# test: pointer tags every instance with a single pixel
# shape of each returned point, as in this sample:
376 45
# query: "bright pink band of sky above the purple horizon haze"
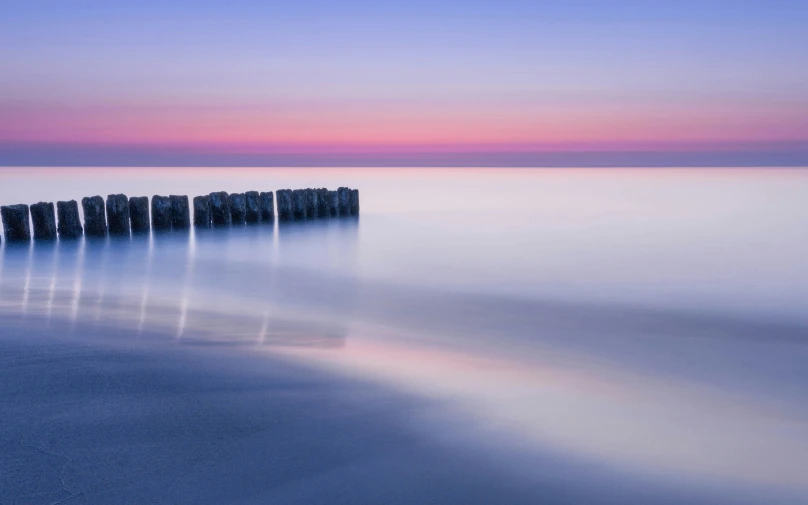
369 127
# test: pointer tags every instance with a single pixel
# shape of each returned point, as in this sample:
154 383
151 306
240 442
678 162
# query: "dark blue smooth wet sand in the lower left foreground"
109 418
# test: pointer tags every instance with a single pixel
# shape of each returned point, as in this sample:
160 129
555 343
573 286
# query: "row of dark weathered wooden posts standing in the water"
119 215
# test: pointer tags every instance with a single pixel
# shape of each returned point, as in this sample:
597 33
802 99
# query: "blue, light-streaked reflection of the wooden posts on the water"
201 285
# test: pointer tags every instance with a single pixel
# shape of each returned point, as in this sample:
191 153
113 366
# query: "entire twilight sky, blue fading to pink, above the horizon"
422 82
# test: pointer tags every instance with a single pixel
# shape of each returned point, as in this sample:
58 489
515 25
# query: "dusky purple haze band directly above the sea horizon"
759 154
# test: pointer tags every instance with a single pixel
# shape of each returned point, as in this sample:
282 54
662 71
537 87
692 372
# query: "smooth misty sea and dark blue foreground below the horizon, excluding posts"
475 336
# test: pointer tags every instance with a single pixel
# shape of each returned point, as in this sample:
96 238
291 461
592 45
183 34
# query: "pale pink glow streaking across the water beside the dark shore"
651 424
